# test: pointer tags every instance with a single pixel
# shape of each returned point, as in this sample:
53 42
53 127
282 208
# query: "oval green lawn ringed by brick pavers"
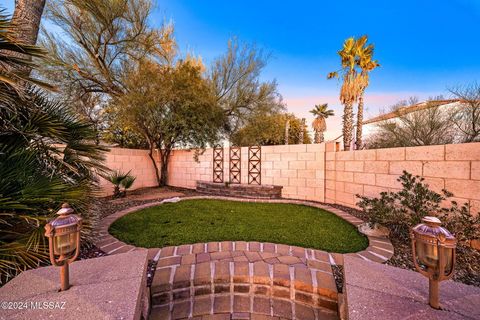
205 220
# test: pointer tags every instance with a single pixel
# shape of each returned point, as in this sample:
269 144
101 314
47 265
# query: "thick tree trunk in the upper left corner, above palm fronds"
26 19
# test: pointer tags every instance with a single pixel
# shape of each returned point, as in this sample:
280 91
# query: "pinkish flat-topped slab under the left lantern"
110 287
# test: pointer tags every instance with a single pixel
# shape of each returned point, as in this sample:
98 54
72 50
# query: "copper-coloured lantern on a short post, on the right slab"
433 250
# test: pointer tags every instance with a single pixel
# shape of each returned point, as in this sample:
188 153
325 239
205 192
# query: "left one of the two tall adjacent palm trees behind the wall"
350 90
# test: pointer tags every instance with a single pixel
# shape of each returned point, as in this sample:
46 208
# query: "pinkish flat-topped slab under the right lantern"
376 291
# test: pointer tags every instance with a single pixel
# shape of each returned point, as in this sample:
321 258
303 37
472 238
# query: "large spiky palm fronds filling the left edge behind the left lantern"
47 157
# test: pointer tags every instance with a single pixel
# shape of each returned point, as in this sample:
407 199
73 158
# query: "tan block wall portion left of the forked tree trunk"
136 161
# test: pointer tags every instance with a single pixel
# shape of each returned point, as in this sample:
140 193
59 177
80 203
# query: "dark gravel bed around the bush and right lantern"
467 268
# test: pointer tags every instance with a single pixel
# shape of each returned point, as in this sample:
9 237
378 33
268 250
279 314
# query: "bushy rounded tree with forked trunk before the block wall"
171 106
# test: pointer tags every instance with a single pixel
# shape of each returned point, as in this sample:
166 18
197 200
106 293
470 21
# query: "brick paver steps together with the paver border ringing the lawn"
243 280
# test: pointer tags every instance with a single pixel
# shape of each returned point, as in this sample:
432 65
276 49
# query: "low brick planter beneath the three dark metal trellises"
240 190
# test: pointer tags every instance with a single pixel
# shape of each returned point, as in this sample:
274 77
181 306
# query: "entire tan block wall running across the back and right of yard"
317 172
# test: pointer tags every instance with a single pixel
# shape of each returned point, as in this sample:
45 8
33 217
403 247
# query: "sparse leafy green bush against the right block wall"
400 211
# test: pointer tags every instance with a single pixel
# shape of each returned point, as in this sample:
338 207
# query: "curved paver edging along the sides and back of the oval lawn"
379 250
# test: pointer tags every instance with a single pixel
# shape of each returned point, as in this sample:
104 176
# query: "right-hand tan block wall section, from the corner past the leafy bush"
369 172
